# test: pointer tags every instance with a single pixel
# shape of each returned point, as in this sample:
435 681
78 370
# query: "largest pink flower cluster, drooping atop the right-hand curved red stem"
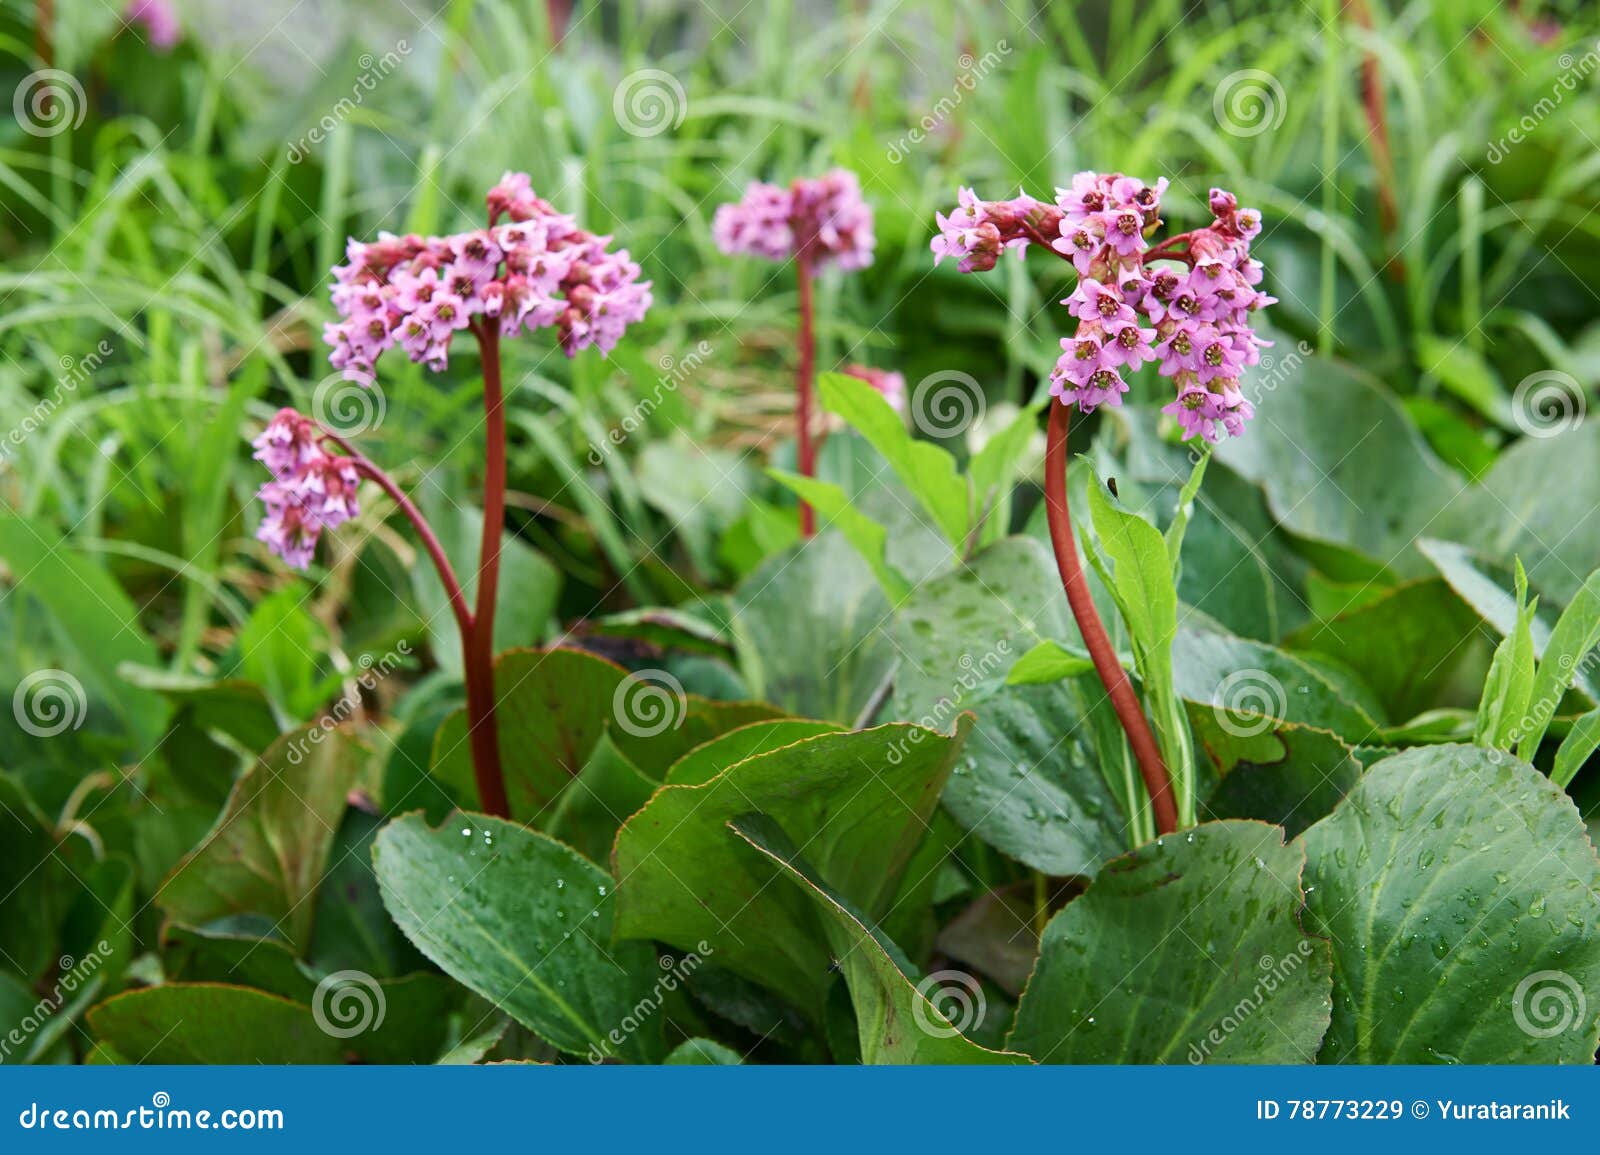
1185 305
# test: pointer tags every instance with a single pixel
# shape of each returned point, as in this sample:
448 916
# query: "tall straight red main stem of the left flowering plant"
479 650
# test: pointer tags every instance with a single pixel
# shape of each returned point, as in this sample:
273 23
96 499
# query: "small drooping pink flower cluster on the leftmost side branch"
311 489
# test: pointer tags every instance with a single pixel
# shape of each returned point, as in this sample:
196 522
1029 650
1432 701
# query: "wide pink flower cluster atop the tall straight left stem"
535 271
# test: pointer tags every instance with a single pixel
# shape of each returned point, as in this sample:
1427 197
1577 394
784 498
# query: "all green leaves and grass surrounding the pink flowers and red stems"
871 757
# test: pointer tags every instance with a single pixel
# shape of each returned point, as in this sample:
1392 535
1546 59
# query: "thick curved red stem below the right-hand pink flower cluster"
1124 701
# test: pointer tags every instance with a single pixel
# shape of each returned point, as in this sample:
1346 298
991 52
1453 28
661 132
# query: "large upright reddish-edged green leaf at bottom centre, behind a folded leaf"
860 802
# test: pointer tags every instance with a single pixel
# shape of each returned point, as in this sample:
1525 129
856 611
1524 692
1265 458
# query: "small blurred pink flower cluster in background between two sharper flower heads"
825 218
